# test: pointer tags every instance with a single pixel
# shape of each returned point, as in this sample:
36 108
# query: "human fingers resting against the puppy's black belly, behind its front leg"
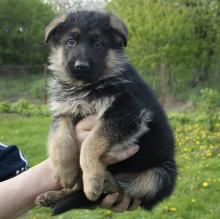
112 157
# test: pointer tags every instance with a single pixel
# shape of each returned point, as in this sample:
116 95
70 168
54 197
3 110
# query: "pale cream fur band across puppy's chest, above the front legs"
81 107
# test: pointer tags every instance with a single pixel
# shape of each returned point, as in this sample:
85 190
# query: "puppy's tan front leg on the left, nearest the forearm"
64 151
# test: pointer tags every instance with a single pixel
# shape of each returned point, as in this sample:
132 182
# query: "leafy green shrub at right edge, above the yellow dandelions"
208 106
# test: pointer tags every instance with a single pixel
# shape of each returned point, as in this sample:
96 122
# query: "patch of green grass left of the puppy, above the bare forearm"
29 133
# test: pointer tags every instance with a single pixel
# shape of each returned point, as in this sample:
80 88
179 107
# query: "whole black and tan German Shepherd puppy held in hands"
93 76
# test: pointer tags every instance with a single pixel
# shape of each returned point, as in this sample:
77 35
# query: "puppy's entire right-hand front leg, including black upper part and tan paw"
118 125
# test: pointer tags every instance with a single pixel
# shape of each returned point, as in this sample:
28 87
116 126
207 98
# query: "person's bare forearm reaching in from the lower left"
18 193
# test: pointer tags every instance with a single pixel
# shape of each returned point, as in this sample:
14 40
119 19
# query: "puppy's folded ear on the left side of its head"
50 28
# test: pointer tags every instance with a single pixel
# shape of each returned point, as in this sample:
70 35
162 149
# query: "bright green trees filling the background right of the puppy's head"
174 44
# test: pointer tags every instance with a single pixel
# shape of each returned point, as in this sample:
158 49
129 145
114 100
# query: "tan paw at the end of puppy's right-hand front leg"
93 186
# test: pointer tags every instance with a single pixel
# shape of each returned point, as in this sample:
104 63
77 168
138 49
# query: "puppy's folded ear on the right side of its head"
119 27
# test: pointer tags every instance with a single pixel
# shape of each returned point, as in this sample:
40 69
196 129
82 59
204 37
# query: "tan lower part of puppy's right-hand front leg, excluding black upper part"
94 146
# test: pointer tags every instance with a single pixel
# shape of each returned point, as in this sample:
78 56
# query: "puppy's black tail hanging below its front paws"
75 200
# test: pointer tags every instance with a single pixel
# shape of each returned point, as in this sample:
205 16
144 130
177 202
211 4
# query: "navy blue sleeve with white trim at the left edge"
12 162
